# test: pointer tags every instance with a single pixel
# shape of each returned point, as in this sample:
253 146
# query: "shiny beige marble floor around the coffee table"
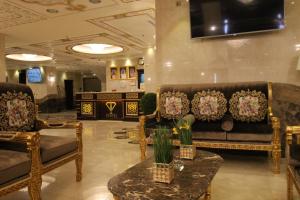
241 177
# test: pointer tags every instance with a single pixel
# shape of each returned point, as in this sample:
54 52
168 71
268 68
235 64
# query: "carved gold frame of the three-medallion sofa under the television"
274 147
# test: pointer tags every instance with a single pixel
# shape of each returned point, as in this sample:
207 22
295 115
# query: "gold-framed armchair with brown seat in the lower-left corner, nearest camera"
20 169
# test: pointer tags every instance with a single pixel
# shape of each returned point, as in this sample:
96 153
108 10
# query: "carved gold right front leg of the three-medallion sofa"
276 152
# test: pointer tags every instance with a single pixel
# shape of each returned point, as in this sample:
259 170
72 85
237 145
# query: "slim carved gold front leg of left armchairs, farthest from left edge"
79 158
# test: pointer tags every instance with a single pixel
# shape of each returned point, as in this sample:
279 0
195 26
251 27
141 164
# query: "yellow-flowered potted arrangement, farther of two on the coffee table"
183 129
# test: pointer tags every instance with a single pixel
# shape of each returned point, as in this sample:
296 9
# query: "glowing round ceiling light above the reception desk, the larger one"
97 48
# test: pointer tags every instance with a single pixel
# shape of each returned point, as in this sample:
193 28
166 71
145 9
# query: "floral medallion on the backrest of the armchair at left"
17 112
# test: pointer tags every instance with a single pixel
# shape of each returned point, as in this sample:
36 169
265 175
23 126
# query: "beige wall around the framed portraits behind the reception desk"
121 85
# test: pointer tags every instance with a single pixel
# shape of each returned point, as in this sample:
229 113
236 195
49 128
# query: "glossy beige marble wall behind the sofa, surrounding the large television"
267 56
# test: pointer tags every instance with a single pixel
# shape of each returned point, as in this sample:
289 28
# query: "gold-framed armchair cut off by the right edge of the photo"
293 159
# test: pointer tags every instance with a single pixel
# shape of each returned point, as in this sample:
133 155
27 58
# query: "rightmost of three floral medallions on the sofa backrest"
248 106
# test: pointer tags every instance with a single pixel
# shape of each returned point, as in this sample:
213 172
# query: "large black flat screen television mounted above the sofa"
211 18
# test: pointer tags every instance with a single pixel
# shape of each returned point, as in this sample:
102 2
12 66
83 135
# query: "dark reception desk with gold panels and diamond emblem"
108 105
